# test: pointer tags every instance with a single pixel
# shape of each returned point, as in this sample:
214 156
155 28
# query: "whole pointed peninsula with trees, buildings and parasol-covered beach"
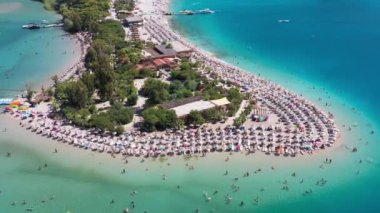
143 90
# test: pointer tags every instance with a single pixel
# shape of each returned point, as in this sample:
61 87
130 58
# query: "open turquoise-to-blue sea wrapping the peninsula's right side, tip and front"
327 52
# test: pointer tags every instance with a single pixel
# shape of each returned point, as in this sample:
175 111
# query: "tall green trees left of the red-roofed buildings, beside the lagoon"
108 74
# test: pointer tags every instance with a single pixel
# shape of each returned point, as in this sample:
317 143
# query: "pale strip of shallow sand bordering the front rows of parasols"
70 156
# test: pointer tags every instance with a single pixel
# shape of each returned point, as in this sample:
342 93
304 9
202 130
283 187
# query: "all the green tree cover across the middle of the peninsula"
110 69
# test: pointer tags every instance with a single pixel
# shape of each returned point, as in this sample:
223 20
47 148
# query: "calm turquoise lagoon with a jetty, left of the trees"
30 56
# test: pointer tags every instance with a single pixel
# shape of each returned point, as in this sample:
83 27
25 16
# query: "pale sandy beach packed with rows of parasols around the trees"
296 126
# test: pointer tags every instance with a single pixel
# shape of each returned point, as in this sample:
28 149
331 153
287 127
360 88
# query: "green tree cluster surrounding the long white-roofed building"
186 82
